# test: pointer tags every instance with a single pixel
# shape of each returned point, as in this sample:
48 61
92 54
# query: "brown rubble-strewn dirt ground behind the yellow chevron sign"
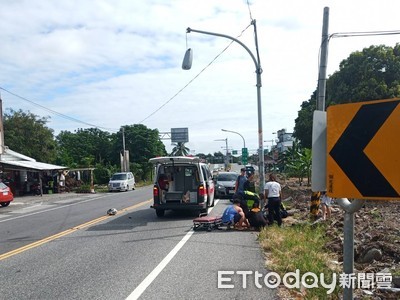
376 233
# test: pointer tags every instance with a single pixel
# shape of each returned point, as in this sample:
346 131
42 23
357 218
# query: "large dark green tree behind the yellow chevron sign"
370 74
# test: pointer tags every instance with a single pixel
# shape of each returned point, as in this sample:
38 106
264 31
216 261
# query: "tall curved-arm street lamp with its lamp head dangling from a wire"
187 63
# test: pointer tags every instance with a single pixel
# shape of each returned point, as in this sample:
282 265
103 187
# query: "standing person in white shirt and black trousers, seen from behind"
273 192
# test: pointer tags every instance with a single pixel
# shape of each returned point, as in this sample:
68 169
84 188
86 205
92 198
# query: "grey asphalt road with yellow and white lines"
66 247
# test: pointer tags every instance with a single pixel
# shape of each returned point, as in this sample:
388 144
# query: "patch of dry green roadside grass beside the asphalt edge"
300 247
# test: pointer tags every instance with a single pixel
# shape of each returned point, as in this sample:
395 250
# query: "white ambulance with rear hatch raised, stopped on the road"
182 183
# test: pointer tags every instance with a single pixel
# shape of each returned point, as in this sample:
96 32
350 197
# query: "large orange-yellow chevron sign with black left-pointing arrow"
363 149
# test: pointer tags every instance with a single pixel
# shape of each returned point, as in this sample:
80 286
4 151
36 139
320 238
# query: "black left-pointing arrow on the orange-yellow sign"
349 154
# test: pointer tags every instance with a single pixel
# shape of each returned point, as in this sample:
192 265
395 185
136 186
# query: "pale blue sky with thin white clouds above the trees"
113 63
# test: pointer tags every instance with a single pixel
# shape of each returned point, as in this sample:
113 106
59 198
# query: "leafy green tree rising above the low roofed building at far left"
27 133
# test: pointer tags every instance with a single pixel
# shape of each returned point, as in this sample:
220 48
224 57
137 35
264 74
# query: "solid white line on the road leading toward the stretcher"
158 269
